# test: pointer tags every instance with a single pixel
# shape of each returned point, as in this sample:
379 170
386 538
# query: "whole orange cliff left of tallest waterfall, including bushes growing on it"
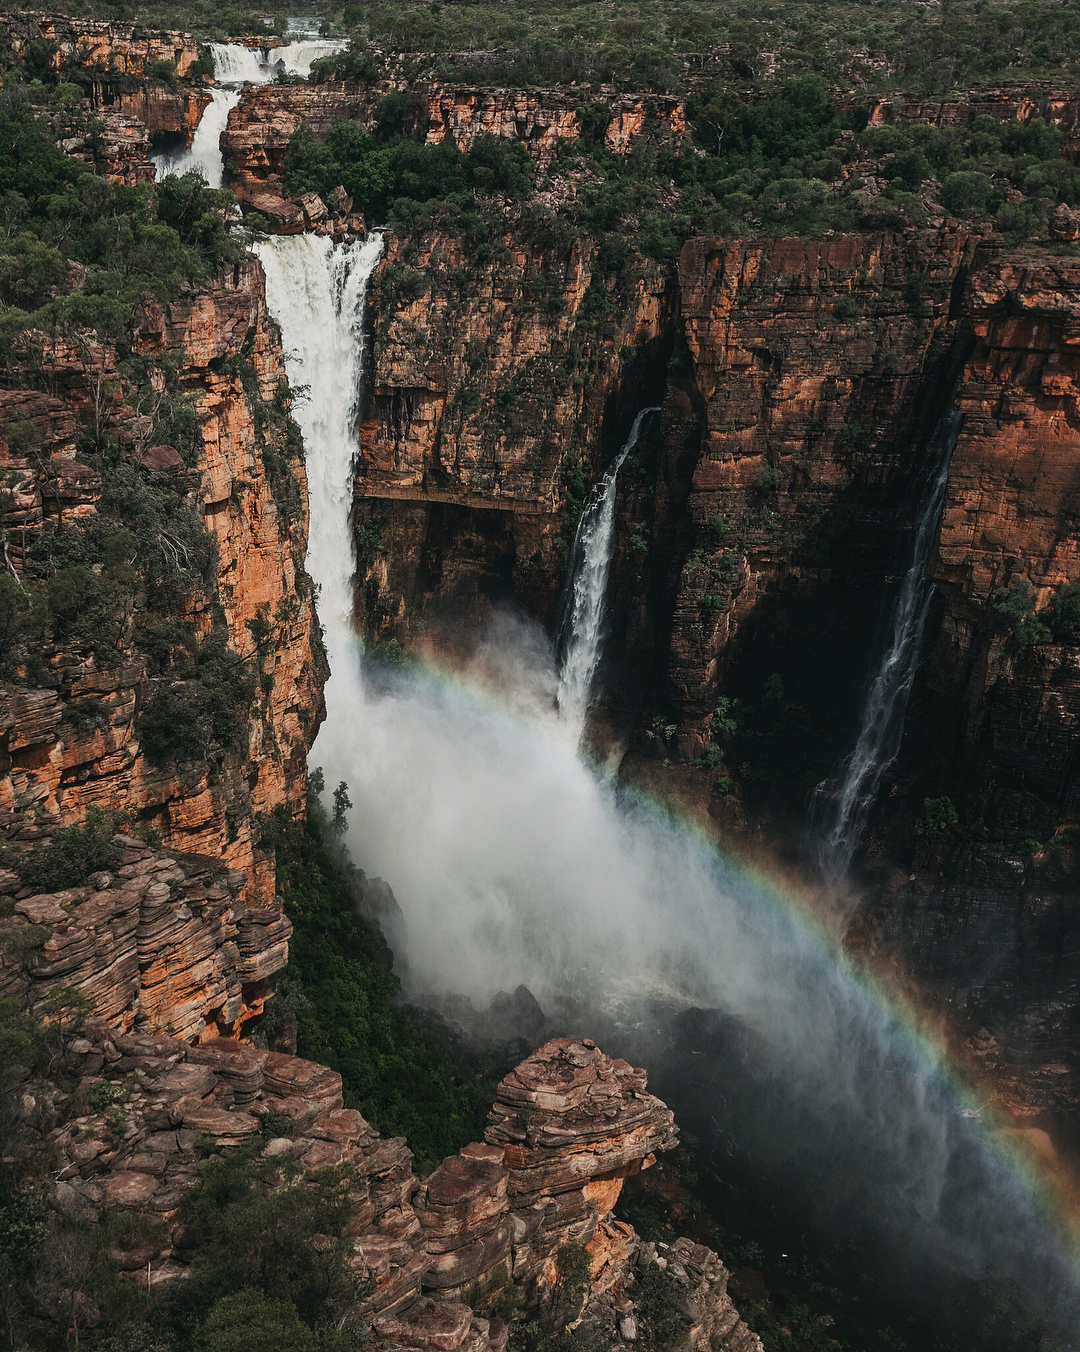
99 719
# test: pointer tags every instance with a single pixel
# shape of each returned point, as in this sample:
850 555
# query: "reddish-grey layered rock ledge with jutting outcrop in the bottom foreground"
568 1126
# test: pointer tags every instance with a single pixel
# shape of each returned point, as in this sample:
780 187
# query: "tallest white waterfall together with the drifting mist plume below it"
514 863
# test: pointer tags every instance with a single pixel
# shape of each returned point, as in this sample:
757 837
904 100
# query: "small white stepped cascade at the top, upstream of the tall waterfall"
236 66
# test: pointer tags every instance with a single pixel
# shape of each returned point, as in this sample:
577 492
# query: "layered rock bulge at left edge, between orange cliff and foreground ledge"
160 943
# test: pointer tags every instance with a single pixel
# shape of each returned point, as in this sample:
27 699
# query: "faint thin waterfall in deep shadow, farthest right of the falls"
882 725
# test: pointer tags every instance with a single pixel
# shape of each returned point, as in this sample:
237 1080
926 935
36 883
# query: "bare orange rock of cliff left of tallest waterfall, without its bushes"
52 756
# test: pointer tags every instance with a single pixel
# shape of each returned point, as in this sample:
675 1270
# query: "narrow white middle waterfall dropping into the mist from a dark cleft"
582 628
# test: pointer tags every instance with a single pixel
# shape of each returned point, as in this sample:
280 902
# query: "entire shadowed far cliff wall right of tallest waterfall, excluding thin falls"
763 528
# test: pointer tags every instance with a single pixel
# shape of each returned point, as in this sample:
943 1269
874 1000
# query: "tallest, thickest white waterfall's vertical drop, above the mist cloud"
317 291
